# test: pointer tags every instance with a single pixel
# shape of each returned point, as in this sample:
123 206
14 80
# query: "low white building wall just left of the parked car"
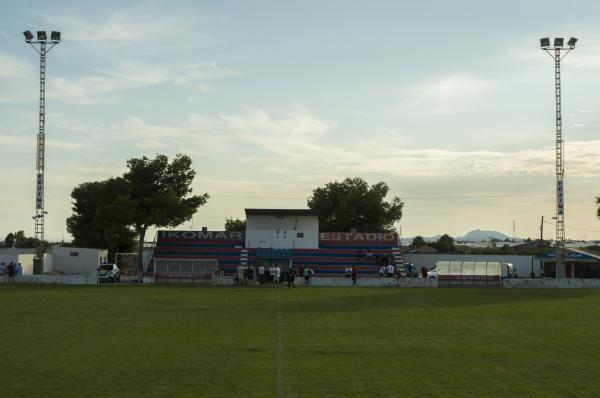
75 260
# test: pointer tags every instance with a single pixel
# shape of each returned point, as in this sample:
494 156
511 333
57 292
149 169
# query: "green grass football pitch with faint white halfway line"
132 341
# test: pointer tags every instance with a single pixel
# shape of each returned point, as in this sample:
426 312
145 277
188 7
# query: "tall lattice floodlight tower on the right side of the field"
558 52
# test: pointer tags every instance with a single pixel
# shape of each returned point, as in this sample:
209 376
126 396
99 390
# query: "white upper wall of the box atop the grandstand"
282 232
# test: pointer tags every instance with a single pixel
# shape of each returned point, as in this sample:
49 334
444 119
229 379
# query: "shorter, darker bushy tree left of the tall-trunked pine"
102 215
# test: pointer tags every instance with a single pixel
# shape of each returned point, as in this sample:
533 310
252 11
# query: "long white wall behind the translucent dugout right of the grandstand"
521 263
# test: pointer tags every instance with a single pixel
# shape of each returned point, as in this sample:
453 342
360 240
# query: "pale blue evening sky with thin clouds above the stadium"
450 103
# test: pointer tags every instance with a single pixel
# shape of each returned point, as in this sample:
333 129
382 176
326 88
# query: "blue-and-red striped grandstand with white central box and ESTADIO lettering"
282 237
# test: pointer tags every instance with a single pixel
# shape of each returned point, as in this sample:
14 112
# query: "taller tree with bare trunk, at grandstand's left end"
159 194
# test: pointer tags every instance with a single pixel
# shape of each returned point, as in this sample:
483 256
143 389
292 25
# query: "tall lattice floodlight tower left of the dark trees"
40 46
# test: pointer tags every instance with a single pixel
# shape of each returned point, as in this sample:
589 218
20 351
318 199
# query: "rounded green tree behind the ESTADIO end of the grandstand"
352 204
